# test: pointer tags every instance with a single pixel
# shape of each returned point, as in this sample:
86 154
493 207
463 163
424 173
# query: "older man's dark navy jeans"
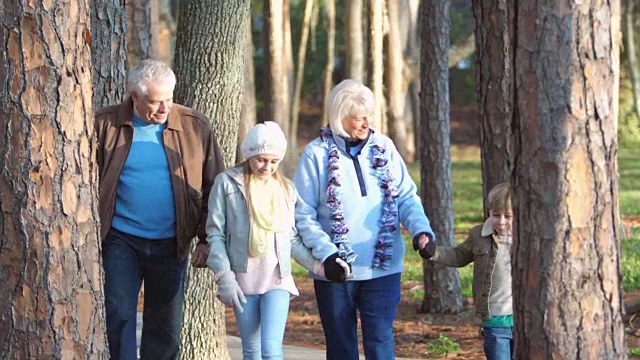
127 261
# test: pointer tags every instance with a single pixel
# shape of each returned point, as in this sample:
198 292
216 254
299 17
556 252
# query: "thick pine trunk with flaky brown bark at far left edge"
51 299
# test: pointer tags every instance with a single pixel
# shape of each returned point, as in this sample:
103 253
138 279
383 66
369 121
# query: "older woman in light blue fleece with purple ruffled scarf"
354 193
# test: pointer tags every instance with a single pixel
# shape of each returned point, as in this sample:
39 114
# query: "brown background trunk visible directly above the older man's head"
142 30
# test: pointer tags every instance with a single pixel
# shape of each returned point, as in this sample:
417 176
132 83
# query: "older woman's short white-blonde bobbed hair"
349 97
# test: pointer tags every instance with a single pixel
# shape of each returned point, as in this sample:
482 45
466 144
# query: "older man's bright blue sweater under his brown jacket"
144 194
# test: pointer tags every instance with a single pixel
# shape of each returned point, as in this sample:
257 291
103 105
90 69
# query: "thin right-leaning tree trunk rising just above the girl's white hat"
302 53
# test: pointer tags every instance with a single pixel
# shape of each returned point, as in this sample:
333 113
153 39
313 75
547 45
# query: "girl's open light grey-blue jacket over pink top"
228 228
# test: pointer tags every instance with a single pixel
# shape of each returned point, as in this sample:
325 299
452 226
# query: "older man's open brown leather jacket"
193 155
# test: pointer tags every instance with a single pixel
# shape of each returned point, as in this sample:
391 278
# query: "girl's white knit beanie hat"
265 138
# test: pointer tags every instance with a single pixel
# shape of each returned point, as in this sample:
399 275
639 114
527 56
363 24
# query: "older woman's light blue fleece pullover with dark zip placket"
361 202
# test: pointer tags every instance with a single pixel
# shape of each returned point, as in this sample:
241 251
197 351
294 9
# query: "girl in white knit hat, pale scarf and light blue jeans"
252 237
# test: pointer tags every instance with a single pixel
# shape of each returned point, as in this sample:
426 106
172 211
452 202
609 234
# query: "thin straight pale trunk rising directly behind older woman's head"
377 65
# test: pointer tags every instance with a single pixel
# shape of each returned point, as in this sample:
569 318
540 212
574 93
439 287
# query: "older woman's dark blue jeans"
376 300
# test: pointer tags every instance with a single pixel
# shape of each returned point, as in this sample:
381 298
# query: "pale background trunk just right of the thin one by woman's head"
396 83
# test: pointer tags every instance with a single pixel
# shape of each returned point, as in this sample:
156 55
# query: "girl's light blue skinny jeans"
262 323
